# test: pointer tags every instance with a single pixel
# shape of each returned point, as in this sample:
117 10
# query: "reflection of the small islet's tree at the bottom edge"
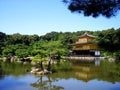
46 84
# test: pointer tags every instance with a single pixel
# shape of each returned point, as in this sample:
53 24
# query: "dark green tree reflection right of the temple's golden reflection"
110 71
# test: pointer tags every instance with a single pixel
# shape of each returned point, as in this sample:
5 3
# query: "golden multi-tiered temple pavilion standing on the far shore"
85 46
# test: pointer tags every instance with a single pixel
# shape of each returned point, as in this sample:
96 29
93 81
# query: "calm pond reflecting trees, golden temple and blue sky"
83 76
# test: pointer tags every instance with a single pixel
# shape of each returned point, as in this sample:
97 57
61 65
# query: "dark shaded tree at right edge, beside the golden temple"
109 41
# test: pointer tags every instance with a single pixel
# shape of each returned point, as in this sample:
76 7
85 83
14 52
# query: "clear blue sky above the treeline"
44 16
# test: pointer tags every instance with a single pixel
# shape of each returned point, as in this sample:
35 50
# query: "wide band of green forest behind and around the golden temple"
55 43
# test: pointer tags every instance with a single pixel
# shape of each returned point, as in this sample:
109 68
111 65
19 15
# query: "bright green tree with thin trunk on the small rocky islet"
51 49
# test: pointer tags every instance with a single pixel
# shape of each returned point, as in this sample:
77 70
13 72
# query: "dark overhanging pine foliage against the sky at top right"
94 8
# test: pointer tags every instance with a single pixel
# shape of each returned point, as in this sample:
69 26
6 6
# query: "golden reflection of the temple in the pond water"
86 73
